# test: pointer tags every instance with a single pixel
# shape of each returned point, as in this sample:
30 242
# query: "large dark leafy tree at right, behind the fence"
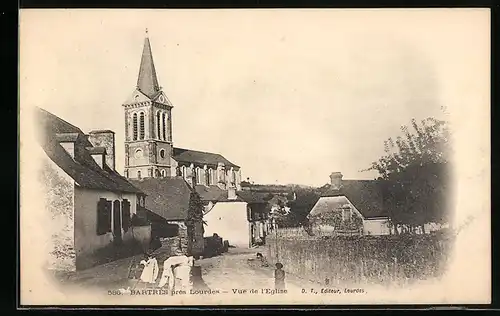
414 173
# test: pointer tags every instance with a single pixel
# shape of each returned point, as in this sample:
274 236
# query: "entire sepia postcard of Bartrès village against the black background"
254 157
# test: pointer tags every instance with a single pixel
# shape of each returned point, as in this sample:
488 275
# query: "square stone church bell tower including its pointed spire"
148 124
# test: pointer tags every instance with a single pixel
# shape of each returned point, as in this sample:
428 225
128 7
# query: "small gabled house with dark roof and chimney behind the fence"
353 207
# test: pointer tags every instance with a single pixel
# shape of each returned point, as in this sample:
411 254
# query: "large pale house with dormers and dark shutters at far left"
92 209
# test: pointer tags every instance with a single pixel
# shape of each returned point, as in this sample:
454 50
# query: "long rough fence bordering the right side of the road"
359 259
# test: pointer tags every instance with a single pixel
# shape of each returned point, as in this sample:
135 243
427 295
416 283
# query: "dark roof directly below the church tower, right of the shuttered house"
167 197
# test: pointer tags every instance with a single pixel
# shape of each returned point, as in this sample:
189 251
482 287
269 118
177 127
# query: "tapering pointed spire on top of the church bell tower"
147 81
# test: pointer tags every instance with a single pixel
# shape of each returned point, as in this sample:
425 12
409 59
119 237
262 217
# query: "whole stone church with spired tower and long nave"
149 149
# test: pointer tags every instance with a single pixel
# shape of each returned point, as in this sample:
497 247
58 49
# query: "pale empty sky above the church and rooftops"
289 95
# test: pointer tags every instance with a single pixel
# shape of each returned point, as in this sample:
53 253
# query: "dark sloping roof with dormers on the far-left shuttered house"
82 169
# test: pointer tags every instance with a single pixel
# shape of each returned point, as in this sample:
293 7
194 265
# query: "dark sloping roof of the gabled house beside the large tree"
366 195
